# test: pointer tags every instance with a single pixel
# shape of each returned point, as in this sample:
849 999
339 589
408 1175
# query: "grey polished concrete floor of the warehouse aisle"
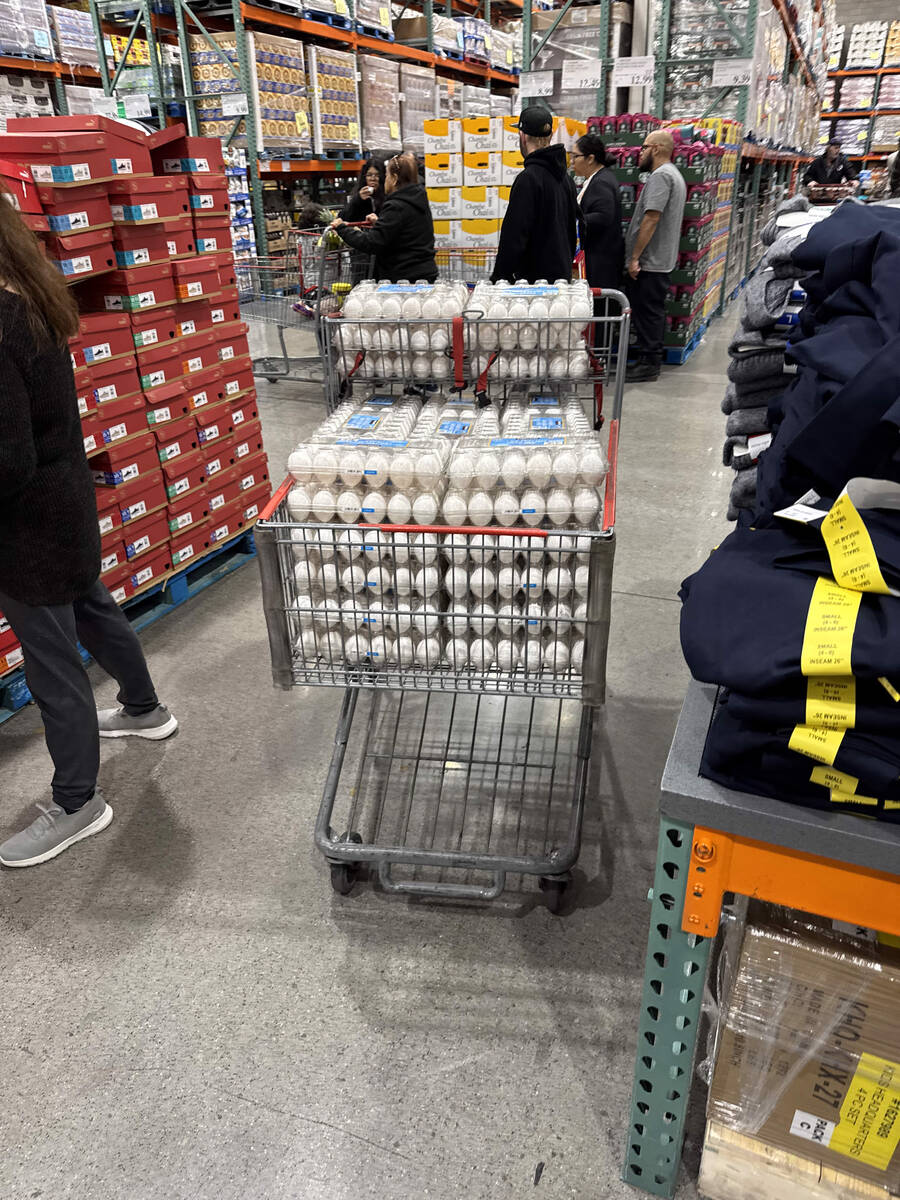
190 1013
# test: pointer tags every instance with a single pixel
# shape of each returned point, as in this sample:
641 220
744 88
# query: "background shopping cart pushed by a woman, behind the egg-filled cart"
295 292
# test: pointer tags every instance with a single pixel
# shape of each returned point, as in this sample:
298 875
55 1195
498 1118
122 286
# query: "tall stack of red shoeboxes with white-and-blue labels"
140 226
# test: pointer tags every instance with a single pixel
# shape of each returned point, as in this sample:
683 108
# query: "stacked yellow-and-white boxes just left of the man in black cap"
470 167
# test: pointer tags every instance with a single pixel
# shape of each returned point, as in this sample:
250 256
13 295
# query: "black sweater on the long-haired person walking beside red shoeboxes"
50 539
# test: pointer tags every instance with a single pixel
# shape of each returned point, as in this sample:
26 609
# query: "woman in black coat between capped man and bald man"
601 214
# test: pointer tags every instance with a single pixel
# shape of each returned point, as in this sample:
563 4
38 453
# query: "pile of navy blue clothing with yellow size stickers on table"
797 616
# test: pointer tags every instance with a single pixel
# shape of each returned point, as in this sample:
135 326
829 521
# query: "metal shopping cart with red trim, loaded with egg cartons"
463 773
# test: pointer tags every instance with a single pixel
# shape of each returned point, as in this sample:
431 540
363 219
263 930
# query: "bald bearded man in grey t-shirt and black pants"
652 253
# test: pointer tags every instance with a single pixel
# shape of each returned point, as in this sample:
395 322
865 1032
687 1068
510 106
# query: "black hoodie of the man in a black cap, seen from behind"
538 237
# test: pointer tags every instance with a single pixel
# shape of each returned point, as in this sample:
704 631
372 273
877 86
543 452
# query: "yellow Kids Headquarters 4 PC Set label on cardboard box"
869 1127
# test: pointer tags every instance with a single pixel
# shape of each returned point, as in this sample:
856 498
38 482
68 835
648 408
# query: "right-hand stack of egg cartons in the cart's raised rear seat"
530 332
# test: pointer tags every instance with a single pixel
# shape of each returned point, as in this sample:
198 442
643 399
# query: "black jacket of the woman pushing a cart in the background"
403 239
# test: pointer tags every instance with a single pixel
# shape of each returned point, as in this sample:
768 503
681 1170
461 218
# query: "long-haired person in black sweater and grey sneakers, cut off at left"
50 554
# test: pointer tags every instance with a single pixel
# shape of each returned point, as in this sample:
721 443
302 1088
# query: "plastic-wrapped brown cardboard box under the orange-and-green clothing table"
809 1047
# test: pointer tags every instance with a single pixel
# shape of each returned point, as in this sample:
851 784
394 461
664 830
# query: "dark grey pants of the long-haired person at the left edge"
59 682
